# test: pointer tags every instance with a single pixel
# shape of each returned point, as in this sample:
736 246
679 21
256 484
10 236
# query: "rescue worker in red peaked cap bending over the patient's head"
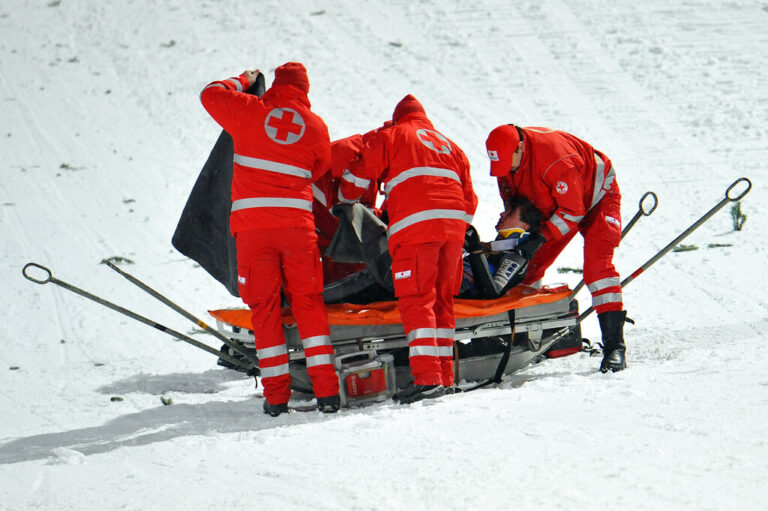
575 188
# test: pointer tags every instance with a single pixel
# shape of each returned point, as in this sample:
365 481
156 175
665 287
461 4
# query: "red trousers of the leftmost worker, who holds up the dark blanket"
266 260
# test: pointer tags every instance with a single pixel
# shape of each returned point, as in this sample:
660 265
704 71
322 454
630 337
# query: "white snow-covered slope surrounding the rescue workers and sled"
102 136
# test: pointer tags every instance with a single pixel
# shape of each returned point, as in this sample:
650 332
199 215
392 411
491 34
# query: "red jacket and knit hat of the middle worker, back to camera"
425 177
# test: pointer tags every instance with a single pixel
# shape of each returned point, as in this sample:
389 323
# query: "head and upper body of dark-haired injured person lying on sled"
492 269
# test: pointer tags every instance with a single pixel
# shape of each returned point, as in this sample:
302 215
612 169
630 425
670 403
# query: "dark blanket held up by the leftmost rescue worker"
202 233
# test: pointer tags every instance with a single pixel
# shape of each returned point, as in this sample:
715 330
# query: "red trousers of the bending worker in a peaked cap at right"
601 229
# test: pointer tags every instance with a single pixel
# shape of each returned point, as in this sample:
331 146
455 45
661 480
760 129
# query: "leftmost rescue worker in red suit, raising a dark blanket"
281 147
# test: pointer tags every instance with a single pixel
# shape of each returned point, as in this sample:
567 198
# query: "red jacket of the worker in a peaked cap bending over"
562 175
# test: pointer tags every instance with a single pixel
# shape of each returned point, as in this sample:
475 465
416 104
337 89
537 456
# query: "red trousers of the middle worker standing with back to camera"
426 278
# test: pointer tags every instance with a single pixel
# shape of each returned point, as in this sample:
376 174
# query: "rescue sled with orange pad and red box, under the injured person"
372 351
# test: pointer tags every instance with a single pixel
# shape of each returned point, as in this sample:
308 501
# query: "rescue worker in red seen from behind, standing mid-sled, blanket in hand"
430 203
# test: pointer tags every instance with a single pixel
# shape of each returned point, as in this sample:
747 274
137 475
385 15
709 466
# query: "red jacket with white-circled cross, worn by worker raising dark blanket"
280 148
